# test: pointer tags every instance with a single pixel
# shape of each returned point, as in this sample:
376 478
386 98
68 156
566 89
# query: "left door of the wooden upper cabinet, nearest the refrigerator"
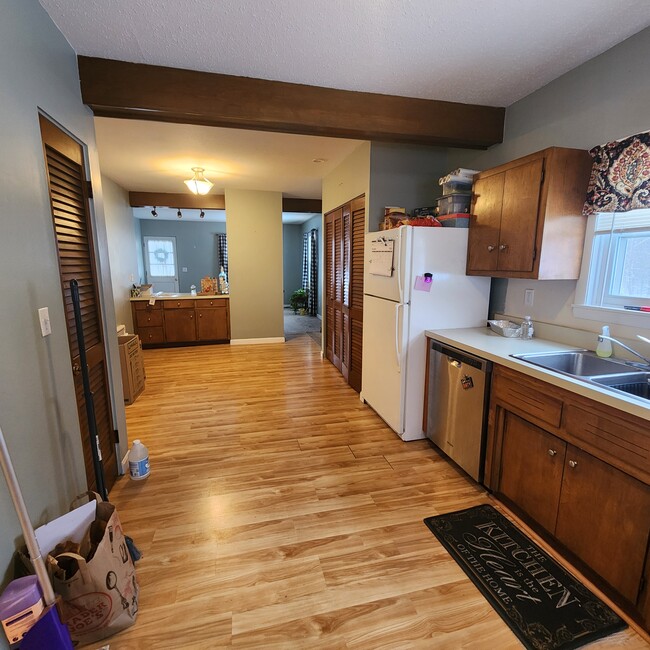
482 251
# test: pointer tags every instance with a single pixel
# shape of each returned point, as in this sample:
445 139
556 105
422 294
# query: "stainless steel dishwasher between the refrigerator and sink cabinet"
457 405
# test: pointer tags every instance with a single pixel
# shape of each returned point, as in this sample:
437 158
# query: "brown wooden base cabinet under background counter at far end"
182 322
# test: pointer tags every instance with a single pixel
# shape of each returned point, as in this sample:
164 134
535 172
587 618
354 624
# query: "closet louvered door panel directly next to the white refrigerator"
355 303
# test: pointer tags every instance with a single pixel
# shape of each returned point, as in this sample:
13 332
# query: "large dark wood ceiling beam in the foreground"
147 92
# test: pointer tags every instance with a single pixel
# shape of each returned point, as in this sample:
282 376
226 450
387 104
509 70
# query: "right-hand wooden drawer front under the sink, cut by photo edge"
616 441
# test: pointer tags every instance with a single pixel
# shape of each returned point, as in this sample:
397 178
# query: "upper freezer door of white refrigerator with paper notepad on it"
386 268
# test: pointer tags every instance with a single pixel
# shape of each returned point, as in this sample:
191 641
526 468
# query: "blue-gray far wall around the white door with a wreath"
196 247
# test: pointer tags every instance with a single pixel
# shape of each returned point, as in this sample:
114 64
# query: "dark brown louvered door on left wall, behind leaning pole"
68 189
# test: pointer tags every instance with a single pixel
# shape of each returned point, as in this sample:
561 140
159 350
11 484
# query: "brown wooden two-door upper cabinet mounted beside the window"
527 217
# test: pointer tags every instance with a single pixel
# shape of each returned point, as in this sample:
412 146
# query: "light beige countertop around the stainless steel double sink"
484 343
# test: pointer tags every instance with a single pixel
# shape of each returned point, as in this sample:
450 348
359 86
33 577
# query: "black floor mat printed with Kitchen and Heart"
544 605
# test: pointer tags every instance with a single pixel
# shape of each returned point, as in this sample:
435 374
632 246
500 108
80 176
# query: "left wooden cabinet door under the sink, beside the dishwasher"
531 469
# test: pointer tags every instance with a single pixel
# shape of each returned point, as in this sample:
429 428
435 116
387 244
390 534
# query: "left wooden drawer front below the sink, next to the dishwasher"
526 397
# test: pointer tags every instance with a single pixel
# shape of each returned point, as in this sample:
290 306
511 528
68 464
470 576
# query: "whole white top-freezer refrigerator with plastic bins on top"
414 280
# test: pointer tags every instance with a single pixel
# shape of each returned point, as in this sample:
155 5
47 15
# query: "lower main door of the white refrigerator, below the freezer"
383 379
